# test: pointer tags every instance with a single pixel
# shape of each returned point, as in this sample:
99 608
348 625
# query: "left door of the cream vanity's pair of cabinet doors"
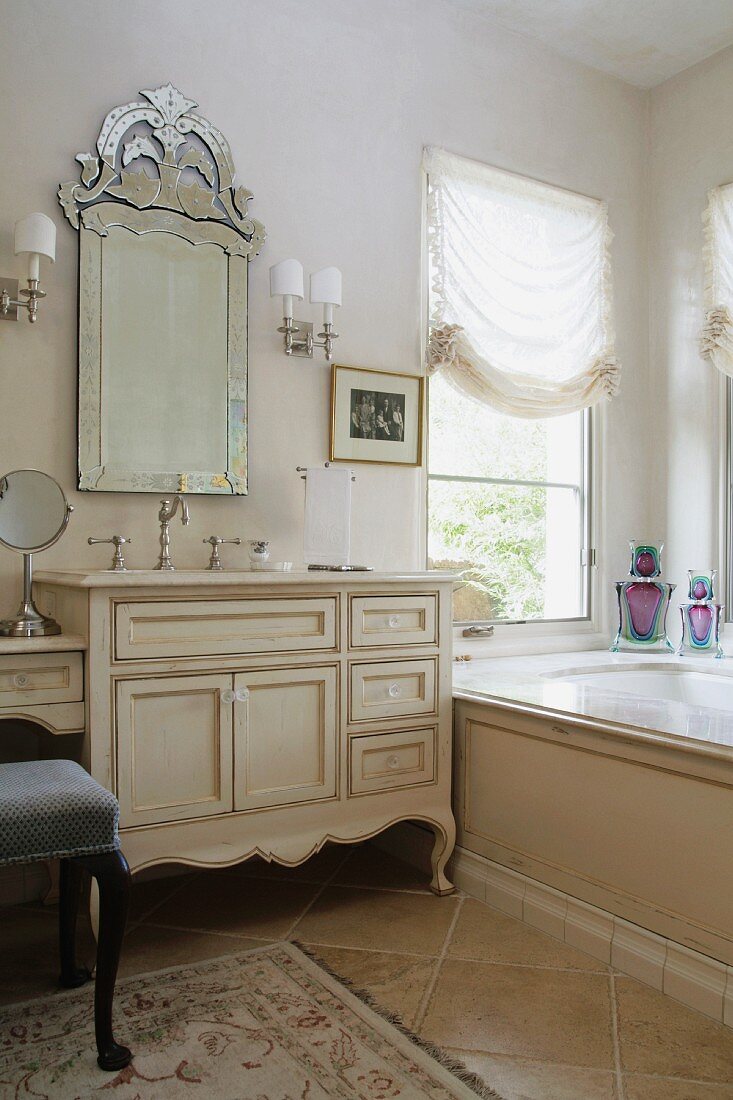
174 743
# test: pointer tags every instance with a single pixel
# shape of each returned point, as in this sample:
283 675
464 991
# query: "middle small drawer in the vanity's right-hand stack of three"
392 689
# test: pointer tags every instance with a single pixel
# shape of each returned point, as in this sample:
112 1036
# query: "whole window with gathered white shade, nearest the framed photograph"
521 349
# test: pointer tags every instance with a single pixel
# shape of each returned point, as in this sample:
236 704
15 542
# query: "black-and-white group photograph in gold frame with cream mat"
377 416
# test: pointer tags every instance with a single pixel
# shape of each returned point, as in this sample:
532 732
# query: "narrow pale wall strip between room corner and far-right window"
691 151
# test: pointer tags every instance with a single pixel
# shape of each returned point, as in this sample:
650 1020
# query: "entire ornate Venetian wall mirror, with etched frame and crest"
166 239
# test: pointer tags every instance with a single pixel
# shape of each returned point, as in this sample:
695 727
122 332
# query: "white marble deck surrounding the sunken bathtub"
540 684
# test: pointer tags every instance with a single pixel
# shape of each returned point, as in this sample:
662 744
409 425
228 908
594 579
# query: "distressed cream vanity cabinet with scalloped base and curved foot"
249 713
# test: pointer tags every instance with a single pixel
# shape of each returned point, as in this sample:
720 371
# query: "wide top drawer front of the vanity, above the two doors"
216 628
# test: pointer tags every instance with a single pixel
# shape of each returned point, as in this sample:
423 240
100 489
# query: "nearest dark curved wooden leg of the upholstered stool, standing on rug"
113 876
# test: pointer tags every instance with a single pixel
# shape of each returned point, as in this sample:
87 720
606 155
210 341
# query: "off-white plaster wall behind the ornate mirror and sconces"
327 106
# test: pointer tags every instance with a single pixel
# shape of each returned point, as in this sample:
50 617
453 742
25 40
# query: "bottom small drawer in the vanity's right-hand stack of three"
382 762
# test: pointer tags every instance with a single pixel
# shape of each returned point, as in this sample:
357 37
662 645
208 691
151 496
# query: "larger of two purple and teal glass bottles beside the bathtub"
643 602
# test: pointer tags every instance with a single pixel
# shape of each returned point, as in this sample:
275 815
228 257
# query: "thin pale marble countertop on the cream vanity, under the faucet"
180 578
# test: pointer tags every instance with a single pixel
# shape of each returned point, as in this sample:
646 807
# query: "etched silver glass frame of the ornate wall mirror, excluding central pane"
161 169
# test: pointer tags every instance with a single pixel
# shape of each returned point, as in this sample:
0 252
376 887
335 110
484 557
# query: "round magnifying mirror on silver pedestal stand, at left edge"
34 516
